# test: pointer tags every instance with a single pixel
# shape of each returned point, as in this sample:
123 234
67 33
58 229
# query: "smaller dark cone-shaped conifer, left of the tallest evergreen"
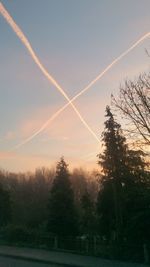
62 220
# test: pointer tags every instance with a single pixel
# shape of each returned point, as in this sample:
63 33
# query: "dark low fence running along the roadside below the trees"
93 246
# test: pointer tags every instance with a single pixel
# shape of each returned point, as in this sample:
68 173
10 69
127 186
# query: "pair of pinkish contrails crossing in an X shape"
27 44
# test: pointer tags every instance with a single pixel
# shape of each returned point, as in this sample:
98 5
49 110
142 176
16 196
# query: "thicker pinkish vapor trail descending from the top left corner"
25 41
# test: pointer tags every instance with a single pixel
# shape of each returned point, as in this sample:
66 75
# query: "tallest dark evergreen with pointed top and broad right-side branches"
123 175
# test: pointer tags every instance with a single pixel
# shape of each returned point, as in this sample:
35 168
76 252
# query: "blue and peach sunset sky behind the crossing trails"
75 40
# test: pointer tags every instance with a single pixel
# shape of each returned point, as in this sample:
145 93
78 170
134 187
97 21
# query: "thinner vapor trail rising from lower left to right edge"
145 36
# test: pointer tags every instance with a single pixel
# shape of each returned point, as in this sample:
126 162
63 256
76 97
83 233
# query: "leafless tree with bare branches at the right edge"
134 104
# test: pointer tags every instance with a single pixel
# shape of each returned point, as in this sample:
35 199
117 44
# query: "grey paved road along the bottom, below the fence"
57 258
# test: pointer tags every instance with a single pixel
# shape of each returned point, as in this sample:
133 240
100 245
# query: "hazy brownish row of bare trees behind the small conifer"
25 197
